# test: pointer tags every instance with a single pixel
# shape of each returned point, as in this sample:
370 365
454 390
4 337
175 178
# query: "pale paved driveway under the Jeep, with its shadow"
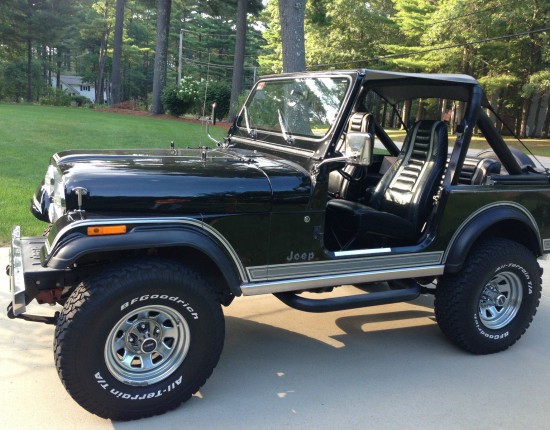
385 367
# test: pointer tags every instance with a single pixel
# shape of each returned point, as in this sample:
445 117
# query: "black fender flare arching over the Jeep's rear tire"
480 222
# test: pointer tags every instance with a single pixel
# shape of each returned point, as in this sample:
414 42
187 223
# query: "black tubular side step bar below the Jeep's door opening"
350 302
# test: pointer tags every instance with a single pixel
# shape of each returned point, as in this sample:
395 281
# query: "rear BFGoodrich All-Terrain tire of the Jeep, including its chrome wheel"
488 305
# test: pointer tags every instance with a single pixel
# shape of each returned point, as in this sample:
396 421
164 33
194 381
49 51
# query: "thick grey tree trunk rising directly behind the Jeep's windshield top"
291 15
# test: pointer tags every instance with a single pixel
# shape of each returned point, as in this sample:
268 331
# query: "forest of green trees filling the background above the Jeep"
227 45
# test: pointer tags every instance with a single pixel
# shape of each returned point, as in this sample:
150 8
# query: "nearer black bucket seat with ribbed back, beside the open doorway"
403 199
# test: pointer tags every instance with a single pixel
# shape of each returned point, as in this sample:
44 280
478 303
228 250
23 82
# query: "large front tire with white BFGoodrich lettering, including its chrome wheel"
138 339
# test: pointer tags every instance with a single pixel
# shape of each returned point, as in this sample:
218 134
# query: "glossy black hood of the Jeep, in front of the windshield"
186 181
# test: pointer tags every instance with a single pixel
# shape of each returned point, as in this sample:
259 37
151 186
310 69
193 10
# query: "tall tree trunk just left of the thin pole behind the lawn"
161 55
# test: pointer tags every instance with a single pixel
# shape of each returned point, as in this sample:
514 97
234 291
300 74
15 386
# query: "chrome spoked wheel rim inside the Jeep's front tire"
147 345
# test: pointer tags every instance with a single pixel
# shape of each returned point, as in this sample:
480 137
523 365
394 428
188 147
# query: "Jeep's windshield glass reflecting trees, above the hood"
305 107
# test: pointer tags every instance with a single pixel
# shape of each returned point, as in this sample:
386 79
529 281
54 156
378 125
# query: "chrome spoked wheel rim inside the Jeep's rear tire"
500 300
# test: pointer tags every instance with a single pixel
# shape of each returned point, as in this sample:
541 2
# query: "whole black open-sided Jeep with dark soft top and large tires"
307 192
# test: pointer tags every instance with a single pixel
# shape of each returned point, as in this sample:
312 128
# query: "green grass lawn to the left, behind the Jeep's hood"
29 135
